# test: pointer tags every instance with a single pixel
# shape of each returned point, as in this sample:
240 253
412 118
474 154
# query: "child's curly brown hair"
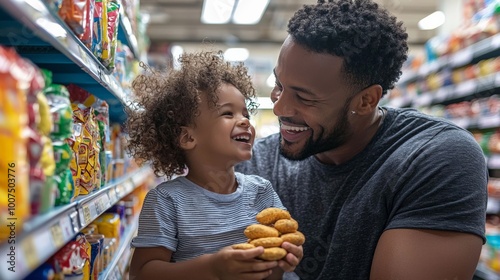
164 102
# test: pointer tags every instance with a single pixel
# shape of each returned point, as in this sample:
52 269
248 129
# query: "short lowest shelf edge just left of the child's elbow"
117 266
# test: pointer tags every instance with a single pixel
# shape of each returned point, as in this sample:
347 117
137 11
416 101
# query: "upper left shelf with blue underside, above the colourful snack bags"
40 35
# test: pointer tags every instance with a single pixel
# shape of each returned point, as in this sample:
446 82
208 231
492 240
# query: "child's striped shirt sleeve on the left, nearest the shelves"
157 222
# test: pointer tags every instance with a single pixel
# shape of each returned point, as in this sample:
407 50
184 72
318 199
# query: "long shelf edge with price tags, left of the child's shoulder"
45 234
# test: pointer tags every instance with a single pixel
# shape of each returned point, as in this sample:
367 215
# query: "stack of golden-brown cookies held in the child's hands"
275 227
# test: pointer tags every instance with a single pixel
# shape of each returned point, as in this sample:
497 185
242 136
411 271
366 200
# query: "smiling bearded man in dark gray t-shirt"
380 193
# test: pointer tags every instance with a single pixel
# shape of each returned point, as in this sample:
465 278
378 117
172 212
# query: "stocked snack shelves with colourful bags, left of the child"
72 196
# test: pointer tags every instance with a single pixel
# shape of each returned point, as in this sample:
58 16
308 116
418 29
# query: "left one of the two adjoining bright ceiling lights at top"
217 11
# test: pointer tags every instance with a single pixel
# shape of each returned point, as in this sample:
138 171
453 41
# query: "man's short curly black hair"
371 41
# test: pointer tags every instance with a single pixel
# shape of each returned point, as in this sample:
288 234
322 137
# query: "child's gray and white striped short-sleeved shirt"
191 221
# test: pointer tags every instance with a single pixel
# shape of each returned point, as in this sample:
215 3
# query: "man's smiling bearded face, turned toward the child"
311 99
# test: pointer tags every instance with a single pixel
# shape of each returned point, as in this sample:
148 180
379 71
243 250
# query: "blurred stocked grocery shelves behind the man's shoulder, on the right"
458 77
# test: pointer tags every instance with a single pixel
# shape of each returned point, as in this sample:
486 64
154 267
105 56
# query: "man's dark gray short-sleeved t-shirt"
417 172
